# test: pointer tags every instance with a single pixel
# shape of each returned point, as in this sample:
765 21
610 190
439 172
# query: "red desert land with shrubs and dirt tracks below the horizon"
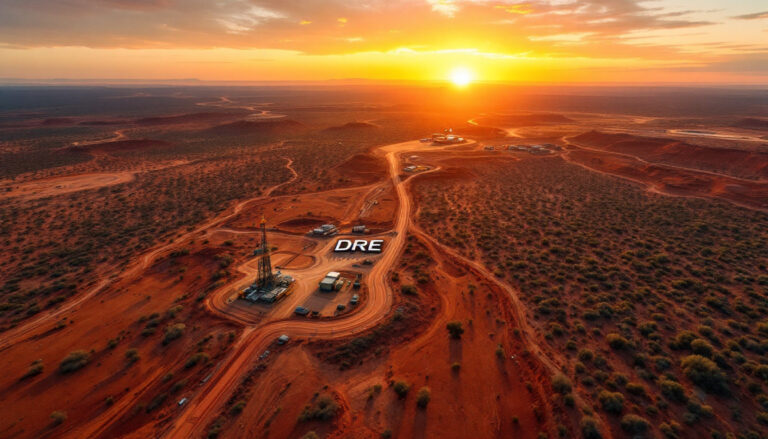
564 274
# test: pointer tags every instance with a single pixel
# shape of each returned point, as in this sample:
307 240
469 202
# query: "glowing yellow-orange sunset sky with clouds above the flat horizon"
595 41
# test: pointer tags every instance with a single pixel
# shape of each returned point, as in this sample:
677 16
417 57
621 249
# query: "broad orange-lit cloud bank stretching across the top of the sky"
584 28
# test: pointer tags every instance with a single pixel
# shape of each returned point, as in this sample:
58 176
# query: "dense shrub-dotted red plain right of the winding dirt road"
666 289
